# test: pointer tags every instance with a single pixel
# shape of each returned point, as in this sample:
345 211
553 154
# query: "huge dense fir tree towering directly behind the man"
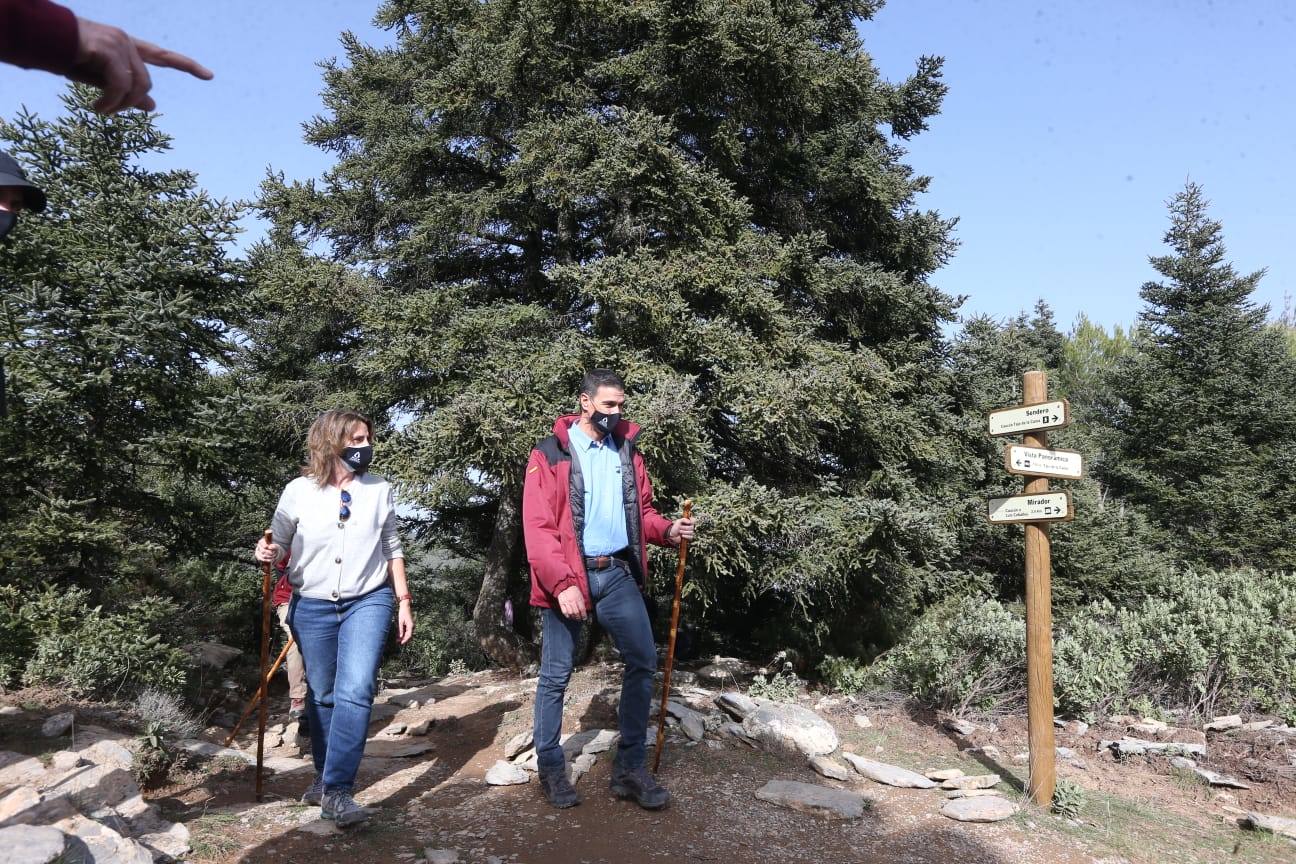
708 196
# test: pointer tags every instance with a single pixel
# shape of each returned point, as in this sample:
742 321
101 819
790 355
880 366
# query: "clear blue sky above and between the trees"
1066 130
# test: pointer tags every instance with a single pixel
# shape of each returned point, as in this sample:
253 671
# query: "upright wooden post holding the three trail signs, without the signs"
1044 769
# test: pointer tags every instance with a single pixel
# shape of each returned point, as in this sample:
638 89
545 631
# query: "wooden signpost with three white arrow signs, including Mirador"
1036 508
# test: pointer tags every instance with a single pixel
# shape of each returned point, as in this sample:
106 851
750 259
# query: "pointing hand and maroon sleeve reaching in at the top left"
40 34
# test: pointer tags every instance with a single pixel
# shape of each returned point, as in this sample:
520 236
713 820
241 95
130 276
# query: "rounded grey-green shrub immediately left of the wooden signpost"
965 655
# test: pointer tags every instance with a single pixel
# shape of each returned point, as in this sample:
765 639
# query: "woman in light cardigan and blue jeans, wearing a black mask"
348 576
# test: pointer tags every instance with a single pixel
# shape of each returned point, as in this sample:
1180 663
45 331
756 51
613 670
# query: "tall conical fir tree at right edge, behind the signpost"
1206 423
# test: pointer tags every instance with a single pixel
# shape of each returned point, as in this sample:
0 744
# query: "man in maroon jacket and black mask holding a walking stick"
588 517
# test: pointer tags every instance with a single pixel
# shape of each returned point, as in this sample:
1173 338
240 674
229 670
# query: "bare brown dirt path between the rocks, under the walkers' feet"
440 801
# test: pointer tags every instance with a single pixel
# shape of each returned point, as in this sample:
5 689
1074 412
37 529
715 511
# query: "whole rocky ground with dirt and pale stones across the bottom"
817 780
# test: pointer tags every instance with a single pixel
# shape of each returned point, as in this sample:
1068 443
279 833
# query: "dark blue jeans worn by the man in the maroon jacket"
621 612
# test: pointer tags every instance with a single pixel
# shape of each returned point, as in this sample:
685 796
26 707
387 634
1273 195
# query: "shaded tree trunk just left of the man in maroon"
498 639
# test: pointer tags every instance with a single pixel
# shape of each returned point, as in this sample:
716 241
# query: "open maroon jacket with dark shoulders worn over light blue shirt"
554 512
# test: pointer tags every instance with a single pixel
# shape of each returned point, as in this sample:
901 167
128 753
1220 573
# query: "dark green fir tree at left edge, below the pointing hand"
121 453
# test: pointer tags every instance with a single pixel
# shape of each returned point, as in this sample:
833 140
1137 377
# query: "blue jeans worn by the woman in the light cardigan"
341 643
